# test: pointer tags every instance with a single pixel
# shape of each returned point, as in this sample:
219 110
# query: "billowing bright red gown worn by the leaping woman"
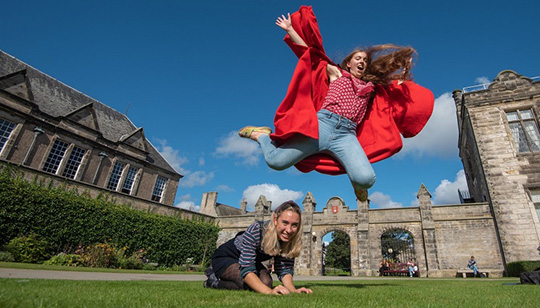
395 110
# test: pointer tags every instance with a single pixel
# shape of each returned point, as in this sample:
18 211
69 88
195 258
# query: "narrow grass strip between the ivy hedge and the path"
86 269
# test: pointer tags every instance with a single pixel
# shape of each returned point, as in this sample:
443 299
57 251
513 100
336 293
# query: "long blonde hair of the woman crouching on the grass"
271 244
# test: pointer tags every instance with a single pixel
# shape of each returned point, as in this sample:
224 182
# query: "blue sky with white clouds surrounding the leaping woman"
192 73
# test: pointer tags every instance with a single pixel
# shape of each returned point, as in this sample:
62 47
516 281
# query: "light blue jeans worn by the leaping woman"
337 137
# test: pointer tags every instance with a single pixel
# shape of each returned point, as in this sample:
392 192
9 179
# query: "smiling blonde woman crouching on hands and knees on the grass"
237 264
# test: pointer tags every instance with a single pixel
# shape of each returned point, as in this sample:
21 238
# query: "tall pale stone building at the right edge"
499 144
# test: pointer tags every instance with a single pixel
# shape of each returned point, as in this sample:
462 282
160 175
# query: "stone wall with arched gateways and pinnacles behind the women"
444 236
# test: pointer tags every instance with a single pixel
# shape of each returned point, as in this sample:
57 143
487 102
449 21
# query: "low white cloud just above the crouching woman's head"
272 192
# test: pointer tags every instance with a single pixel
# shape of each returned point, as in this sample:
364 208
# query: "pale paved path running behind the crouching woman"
44 274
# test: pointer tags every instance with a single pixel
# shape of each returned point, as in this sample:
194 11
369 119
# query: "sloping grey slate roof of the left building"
58 100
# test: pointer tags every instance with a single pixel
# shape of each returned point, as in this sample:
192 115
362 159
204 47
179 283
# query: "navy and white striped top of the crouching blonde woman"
249 245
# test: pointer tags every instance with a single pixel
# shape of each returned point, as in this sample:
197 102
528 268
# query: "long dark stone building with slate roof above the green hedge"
51 130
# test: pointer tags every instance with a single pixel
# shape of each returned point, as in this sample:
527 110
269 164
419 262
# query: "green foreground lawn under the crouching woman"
350 293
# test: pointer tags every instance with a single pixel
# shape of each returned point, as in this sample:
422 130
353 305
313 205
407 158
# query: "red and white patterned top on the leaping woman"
348 97
